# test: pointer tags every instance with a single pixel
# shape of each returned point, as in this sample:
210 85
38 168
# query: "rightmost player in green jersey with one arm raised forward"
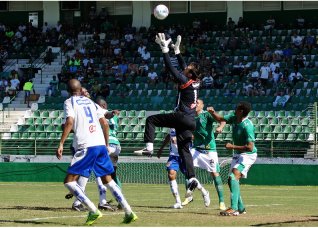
245 152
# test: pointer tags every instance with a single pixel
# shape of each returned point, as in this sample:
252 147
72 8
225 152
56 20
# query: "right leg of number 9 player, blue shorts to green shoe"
103 168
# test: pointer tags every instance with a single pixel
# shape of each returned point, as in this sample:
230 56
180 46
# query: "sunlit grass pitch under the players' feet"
43 204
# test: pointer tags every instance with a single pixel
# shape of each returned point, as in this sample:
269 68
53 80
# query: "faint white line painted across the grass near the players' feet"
122 213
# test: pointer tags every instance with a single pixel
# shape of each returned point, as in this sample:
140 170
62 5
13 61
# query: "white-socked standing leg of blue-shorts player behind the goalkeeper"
172 168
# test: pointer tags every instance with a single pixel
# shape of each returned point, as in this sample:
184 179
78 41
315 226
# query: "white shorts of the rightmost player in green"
246 160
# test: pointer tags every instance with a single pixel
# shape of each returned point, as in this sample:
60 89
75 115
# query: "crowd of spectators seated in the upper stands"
239 58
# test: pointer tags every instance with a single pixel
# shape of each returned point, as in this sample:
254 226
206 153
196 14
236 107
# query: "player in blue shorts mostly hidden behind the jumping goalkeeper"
173 165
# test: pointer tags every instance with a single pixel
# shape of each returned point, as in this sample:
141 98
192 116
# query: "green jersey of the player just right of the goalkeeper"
204 134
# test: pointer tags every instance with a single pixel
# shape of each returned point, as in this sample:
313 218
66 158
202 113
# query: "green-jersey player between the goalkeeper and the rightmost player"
204 149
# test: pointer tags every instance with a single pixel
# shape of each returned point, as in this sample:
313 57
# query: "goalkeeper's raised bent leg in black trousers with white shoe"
160 120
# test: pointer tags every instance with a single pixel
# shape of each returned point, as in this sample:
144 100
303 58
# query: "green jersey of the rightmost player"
242 133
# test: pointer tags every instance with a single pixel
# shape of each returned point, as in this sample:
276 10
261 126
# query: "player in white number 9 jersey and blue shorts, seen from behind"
89 142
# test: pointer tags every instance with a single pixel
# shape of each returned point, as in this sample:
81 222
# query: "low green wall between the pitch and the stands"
155 173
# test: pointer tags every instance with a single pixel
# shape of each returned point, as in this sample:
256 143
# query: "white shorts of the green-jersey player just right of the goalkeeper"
208 161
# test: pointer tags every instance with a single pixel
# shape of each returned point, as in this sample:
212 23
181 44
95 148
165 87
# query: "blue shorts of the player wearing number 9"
91 159
